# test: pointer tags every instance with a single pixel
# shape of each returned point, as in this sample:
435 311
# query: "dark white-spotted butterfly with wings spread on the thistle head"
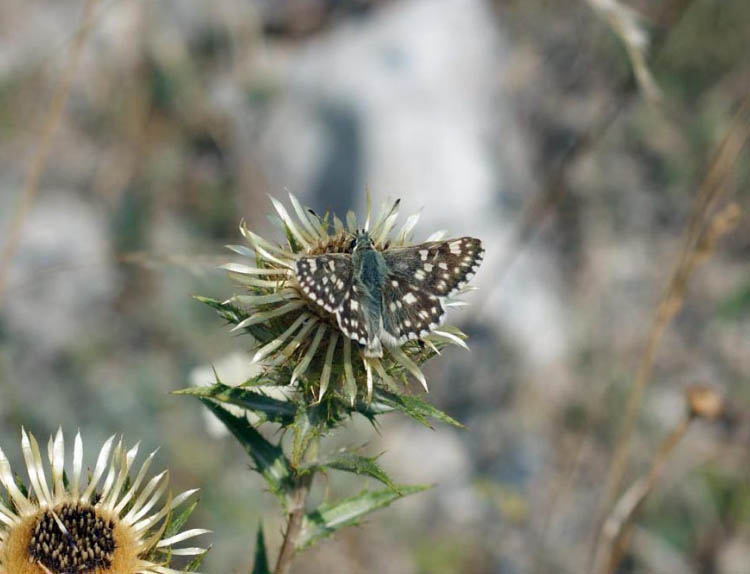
391 296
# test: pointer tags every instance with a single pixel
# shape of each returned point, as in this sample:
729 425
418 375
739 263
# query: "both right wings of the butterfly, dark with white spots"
418 278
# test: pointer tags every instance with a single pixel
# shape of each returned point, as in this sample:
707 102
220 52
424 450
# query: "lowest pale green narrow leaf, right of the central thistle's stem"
328 518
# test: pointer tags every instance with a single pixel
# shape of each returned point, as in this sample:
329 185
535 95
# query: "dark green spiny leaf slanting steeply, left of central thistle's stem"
269 459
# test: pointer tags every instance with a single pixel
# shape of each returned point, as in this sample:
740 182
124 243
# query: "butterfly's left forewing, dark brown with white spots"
325 279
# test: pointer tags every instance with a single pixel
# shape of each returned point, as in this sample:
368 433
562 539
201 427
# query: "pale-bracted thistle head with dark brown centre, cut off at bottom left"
120 526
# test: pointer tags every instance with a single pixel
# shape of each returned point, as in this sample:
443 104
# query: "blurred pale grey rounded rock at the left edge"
62 278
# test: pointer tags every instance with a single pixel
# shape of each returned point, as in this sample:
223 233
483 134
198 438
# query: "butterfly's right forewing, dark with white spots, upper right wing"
440 267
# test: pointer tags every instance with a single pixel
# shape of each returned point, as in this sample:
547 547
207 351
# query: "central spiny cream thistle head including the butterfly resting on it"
344 303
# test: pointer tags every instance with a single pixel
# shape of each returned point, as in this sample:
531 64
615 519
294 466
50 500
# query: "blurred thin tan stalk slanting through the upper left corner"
39 161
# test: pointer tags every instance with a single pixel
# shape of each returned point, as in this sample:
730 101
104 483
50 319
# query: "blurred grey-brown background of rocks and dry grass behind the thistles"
135 135
